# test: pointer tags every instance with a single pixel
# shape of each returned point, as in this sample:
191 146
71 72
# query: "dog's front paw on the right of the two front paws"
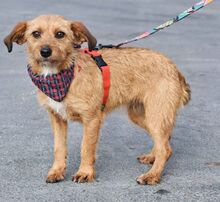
84 175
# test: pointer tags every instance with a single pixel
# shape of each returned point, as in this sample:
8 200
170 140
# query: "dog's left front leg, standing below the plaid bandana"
59 126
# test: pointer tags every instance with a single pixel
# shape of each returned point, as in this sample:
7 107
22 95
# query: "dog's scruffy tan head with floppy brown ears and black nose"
50 39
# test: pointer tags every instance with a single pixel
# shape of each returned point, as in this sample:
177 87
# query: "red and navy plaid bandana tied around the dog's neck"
55 86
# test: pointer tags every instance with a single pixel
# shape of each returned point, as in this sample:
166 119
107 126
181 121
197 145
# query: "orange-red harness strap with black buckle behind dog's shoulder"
105 69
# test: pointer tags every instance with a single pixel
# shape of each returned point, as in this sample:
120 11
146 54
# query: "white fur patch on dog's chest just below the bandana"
58 107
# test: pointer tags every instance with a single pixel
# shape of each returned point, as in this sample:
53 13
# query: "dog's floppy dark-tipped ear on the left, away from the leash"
16 35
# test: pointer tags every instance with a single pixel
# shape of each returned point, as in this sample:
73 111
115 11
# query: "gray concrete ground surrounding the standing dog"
193 172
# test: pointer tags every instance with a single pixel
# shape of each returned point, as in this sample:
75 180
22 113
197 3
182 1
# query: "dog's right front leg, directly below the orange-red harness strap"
86 172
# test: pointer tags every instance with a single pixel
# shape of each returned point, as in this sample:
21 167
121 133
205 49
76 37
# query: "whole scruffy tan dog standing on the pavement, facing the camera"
146 82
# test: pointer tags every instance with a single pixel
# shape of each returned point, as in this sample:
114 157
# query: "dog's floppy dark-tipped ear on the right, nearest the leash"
82 34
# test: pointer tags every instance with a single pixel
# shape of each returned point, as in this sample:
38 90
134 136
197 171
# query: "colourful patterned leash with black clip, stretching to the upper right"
181 16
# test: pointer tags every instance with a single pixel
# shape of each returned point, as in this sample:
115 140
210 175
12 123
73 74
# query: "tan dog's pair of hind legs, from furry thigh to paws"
160 106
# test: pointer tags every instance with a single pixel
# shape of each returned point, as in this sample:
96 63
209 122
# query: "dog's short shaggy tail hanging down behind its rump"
186 92
